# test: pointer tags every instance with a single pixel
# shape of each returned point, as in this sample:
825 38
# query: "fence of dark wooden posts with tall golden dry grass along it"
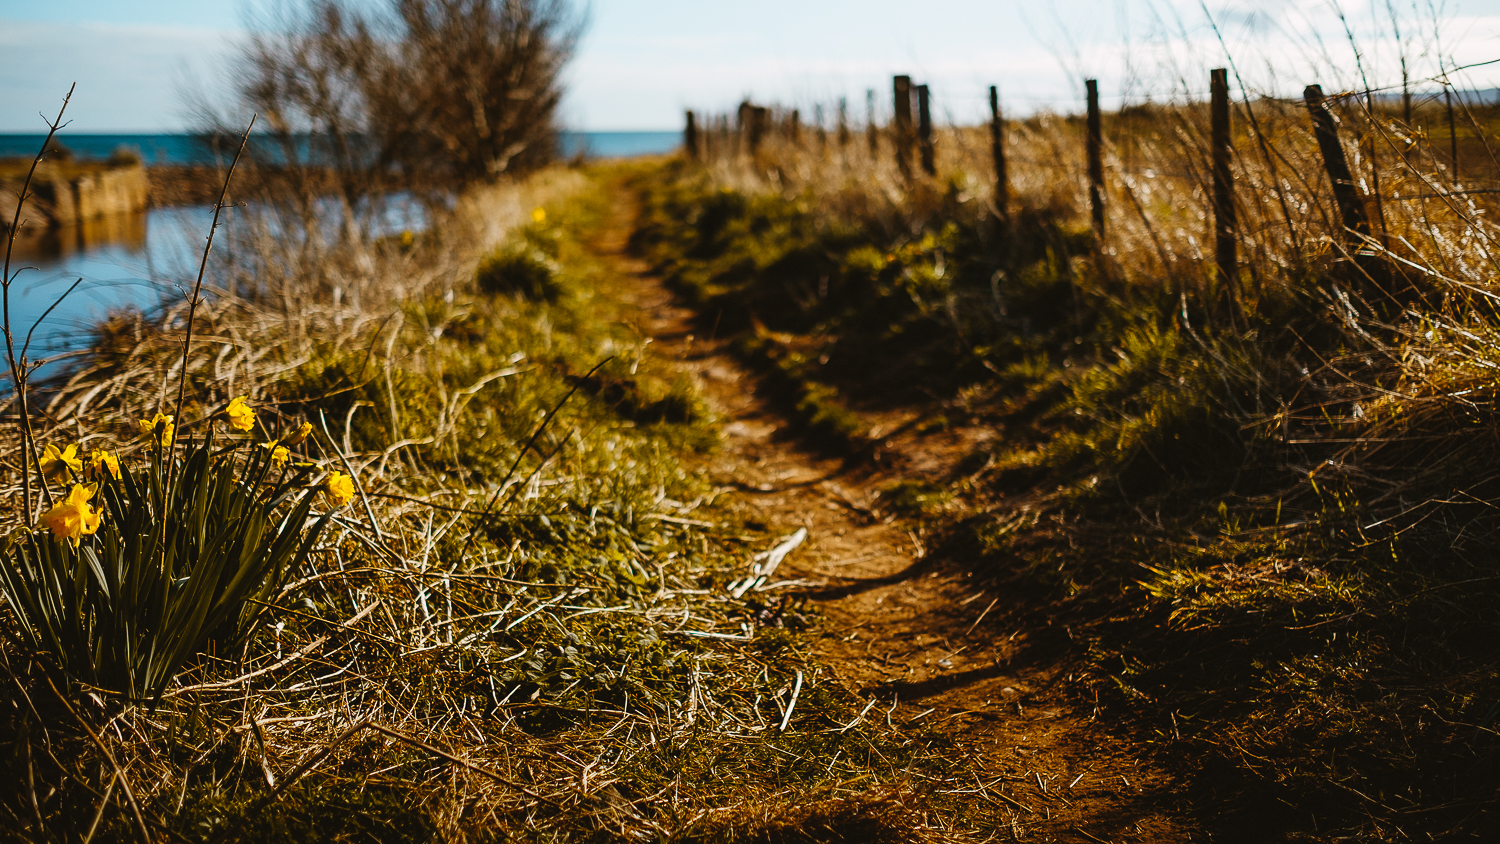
1280 187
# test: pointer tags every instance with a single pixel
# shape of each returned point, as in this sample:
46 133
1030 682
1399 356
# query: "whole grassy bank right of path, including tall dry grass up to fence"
1262 509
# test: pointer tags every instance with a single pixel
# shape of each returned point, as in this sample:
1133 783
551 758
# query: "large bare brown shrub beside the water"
427 97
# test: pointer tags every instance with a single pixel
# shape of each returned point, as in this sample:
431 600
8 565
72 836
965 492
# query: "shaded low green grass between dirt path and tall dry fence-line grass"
1265 530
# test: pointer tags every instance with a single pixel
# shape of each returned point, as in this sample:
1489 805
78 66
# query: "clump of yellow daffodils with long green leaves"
176 545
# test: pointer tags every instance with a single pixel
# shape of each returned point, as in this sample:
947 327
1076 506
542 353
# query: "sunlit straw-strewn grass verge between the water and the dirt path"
518 630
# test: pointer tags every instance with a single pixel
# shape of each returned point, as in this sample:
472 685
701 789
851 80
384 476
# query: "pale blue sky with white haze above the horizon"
643 62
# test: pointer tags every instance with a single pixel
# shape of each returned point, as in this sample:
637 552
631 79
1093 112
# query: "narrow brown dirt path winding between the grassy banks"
904 632
